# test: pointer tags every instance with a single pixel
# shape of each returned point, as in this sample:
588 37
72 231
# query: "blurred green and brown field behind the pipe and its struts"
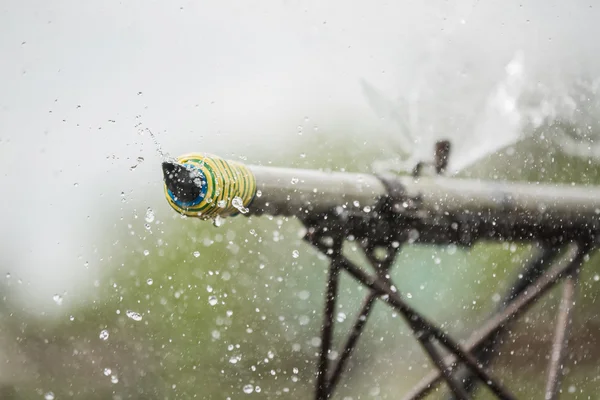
230 312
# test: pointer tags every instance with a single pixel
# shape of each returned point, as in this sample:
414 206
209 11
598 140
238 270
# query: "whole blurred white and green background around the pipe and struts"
108 294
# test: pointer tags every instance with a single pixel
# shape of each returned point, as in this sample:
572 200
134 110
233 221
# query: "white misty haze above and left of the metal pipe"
78 81
